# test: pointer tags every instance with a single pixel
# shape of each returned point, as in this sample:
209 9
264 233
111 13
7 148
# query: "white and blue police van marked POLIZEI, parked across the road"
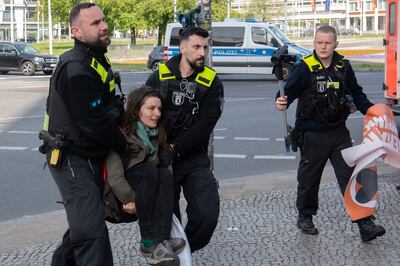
241 47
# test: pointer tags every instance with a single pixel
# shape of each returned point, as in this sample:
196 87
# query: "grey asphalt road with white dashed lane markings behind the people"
247 139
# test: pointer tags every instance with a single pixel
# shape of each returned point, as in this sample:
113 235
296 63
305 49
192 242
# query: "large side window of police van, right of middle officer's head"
228 36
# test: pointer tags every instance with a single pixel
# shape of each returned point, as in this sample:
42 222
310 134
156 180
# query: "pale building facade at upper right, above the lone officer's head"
348 16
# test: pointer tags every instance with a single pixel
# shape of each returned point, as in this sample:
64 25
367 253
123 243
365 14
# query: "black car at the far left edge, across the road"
19 56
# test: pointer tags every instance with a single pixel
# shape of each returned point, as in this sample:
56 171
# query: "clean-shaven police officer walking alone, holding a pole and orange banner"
327 91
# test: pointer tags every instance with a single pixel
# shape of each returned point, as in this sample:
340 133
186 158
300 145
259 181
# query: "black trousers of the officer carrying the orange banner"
319 146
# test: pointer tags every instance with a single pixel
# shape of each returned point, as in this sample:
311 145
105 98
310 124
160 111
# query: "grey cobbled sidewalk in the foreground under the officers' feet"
257 226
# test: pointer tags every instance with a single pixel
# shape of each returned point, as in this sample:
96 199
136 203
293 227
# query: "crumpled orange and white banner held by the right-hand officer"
380 139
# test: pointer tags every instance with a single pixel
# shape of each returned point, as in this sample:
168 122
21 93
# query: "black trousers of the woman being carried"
154 200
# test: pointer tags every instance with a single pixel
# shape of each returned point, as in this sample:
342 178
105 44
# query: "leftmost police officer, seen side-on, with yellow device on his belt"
80 128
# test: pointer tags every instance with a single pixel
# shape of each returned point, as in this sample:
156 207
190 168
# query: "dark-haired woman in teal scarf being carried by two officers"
150 189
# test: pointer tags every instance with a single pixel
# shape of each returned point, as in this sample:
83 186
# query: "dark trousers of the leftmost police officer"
86 242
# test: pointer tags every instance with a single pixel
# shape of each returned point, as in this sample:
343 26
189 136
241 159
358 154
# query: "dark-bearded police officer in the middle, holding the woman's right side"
193 97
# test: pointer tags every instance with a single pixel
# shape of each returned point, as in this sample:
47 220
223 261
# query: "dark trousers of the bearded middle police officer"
193 174
